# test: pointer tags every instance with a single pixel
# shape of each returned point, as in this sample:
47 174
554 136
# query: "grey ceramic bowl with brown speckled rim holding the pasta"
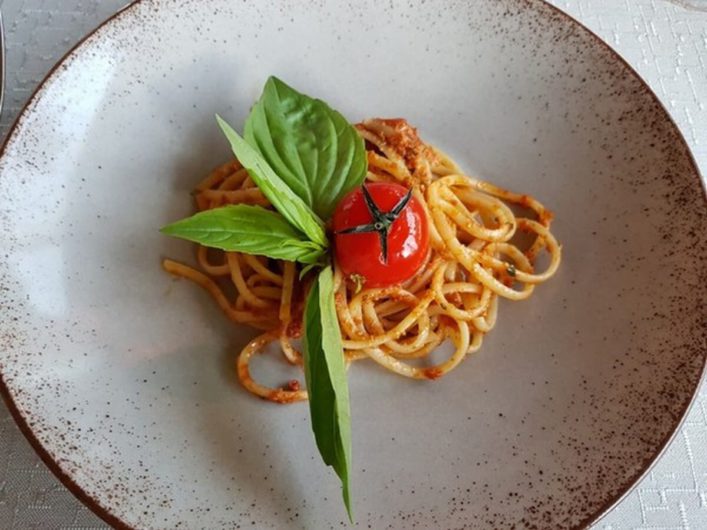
123 379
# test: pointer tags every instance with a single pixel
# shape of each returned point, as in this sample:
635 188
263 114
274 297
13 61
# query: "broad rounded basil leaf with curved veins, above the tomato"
309 145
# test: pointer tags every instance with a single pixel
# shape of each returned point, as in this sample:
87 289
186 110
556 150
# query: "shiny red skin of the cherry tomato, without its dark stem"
361 254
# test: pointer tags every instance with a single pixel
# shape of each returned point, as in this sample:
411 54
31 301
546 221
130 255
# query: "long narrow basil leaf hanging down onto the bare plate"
325 373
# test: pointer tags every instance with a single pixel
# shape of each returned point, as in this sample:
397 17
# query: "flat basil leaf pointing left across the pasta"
248 229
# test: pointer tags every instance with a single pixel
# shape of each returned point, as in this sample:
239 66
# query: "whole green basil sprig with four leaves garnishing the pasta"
304 157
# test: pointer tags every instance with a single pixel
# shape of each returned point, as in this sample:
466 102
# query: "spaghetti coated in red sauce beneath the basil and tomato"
475 258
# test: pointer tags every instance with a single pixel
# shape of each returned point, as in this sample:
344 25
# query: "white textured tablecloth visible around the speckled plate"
666 43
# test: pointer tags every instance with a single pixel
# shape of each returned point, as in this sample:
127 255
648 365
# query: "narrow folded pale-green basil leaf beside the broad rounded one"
278 193
